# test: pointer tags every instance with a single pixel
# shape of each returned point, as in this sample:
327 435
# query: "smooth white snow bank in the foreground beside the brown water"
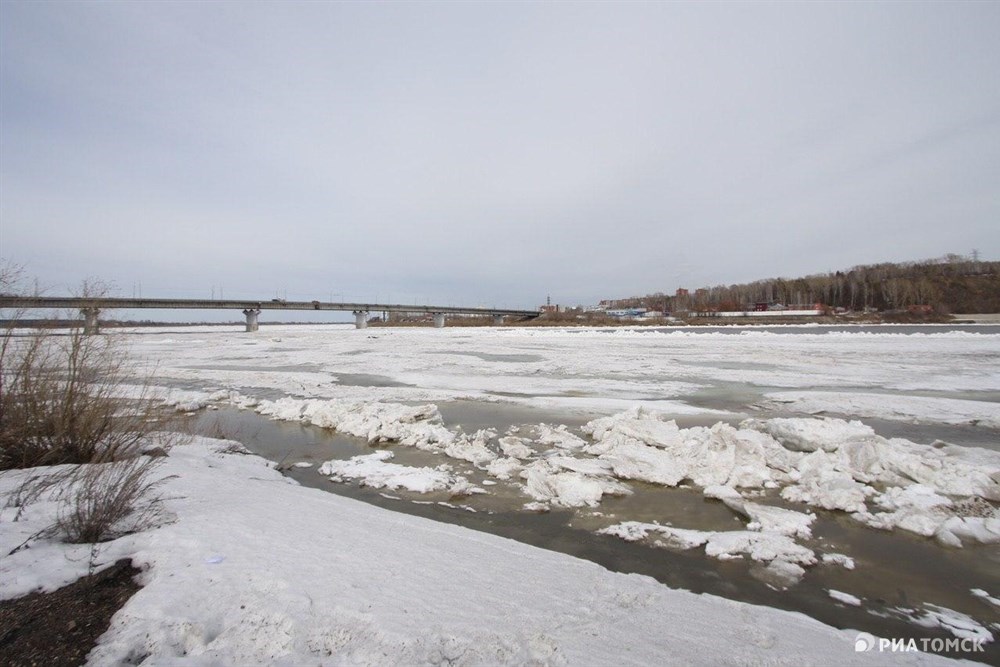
250 568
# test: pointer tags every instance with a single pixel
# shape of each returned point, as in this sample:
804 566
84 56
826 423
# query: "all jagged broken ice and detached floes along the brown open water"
942 491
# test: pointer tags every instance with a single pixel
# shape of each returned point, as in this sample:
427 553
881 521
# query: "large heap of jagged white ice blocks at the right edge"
826 463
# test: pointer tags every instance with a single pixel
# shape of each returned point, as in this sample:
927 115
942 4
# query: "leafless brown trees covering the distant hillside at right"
950 284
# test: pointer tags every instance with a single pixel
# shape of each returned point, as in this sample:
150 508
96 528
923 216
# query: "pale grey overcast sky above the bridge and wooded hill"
491 153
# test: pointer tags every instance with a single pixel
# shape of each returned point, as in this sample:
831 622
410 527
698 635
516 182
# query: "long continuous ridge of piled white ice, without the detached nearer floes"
827 463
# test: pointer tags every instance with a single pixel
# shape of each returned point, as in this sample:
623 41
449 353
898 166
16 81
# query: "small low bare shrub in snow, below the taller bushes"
107 500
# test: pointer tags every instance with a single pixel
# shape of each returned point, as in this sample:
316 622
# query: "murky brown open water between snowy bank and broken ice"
893 570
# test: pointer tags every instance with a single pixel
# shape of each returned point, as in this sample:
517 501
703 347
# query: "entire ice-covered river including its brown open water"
769 465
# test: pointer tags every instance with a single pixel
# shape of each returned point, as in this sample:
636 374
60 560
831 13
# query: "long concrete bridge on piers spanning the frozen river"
90 308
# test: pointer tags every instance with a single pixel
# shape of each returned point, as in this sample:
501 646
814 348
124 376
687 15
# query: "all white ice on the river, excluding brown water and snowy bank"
765 445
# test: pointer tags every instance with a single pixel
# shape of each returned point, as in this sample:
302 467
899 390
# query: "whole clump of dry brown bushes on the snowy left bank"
61 402
